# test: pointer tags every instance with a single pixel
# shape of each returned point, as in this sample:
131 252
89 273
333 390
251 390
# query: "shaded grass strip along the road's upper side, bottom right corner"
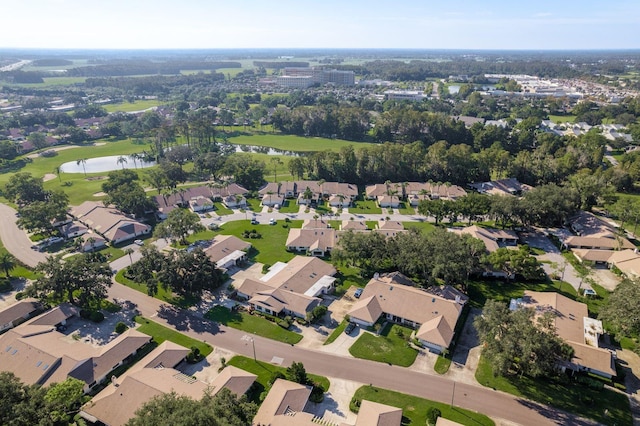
572 397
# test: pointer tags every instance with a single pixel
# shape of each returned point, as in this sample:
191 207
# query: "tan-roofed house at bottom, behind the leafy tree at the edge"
156 374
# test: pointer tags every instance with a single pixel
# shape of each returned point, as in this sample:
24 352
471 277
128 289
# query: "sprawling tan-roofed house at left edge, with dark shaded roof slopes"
37 353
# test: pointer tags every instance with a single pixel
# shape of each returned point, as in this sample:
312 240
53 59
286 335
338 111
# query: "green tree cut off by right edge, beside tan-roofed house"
621 310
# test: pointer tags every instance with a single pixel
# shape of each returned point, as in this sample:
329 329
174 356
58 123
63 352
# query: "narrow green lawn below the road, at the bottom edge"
414 409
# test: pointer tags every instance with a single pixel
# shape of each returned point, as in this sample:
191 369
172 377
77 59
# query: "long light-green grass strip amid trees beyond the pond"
294 143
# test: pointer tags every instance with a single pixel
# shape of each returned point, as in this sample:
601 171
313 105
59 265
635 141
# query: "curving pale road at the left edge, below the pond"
15 240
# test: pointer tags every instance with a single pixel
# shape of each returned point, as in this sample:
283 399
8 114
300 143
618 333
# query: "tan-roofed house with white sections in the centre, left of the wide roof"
291 288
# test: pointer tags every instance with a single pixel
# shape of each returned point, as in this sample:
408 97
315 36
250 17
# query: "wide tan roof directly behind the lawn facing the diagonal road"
410 303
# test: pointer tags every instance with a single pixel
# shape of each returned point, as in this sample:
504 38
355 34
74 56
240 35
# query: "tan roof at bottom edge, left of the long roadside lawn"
284 396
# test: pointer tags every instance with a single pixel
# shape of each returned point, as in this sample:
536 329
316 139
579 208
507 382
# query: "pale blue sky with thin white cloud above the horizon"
420 24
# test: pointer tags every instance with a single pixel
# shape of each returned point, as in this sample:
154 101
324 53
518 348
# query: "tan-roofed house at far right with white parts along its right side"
573 325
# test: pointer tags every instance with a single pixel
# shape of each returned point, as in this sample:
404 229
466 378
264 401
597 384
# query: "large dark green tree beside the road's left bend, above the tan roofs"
85 277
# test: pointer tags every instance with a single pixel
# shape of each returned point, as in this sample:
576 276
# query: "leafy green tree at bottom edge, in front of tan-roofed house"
222 409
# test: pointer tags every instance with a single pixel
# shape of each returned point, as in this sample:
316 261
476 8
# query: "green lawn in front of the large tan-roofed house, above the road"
388 347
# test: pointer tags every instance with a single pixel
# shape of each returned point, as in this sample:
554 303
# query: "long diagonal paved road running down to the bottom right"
492 403
